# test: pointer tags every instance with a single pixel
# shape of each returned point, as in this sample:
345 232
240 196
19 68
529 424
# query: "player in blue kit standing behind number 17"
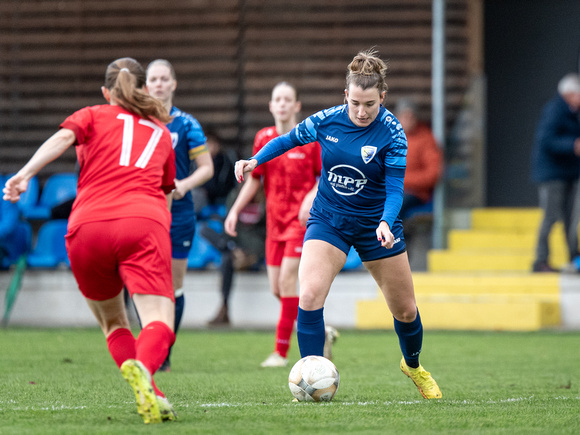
189 143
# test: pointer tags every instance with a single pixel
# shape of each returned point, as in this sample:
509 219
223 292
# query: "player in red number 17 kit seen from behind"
118 231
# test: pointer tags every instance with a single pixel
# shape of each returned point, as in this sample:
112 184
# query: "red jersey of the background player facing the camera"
287 179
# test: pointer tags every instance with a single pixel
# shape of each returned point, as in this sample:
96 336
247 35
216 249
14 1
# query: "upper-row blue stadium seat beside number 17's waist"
57 189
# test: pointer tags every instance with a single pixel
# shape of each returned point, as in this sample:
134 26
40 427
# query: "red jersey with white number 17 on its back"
127 165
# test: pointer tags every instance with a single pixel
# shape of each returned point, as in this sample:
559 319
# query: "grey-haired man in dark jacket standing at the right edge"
555 168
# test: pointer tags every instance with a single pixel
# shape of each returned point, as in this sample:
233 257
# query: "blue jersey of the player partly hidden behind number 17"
188 143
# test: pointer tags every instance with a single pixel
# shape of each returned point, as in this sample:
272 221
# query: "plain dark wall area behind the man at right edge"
529 46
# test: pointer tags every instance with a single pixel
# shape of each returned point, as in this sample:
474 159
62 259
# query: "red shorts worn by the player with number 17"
135 252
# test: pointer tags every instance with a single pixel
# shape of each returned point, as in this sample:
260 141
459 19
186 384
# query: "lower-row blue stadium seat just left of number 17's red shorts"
50 249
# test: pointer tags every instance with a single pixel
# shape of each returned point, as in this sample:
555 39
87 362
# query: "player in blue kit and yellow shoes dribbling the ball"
358 201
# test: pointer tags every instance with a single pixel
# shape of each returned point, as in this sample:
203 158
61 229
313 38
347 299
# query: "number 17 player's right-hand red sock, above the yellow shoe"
153 345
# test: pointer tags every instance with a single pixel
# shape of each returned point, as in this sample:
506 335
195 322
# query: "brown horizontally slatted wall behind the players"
227 54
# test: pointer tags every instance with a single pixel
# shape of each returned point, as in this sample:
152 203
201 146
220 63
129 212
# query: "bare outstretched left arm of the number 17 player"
50 150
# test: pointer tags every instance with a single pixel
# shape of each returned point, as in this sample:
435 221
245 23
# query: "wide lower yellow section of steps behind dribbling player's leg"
505 302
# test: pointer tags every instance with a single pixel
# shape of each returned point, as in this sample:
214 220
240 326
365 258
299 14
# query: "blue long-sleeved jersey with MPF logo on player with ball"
363 168
